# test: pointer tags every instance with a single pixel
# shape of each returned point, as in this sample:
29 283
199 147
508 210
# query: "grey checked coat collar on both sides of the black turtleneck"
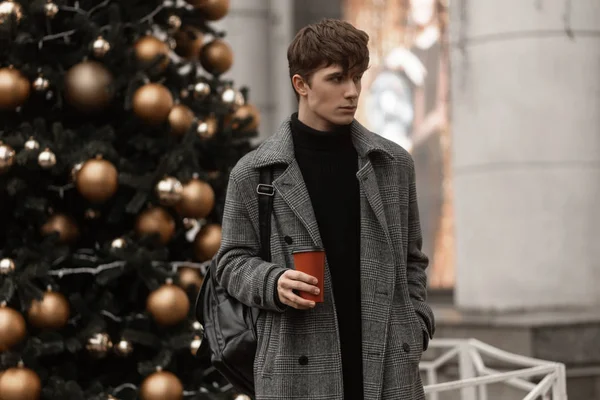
279 148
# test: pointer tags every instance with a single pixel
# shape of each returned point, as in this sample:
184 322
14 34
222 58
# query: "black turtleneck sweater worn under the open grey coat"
329 163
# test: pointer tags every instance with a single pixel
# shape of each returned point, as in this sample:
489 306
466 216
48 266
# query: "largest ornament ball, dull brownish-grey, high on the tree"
88 86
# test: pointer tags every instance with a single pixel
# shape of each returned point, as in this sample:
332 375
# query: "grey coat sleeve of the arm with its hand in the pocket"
417 262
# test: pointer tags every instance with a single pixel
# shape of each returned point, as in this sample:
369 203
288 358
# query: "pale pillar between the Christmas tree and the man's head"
256 30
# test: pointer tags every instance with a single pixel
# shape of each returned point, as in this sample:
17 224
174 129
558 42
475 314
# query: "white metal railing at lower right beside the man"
475 376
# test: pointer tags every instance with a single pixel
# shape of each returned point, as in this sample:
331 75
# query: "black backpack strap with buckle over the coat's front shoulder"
265 191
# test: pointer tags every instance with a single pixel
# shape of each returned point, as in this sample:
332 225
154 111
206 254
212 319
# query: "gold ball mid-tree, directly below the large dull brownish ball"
98 180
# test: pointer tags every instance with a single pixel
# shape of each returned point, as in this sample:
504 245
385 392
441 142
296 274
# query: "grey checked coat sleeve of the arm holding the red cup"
240 270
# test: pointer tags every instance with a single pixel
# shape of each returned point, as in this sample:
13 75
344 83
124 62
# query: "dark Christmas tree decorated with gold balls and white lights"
117 135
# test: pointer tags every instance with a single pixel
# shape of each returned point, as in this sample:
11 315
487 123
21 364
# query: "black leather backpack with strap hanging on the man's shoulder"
230 326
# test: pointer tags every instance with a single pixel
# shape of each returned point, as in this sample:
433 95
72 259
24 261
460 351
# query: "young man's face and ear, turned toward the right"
330 99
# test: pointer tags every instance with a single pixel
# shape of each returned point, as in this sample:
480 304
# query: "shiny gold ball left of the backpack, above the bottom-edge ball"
169 305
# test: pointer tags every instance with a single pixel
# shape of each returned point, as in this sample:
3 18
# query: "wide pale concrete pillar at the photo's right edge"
526 152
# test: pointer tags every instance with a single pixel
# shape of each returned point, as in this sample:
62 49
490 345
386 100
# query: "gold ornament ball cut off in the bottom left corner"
20 384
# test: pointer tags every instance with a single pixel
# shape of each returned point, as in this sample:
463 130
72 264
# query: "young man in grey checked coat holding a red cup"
349 191
